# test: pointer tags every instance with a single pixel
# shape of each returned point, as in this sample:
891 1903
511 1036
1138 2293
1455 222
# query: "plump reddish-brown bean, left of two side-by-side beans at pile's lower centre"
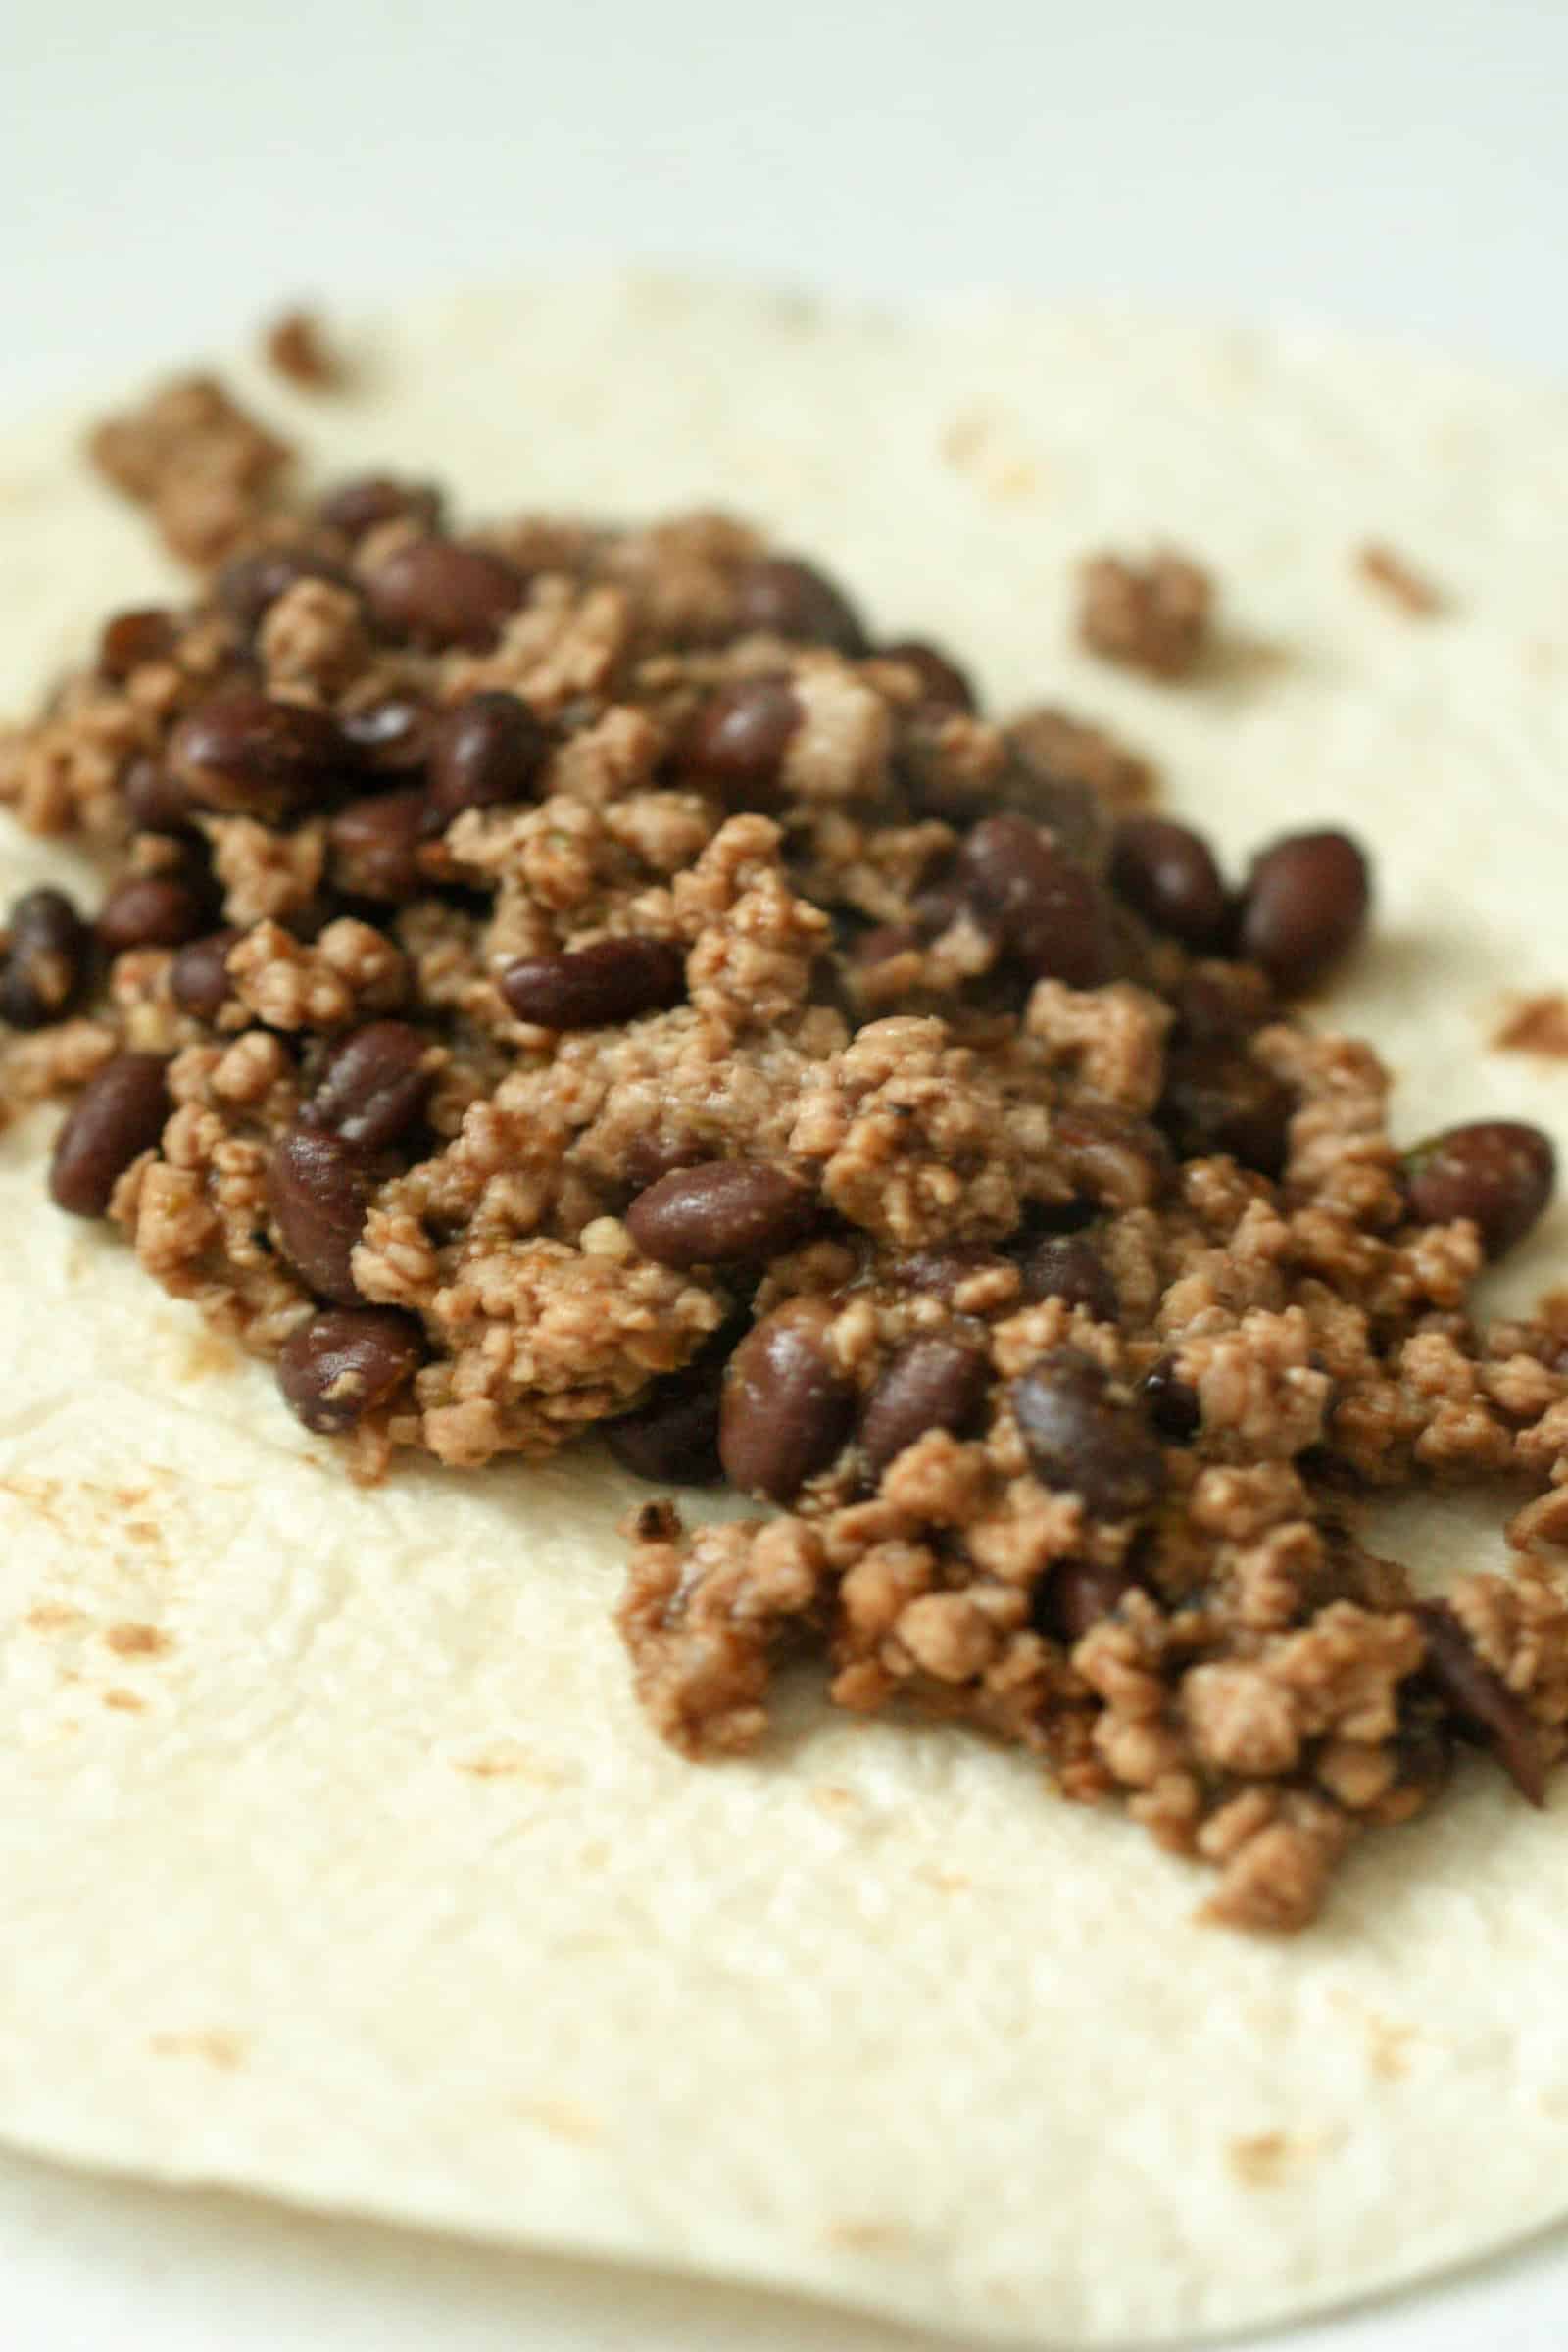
786 1408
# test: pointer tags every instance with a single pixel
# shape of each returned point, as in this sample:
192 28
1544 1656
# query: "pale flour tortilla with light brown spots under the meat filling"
363 1883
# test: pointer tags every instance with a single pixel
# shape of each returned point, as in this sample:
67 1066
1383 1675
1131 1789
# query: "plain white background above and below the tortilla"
173 173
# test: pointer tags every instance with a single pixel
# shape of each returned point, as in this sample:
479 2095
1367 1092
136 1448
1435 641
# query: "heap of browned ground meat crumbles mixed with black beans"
570 980
